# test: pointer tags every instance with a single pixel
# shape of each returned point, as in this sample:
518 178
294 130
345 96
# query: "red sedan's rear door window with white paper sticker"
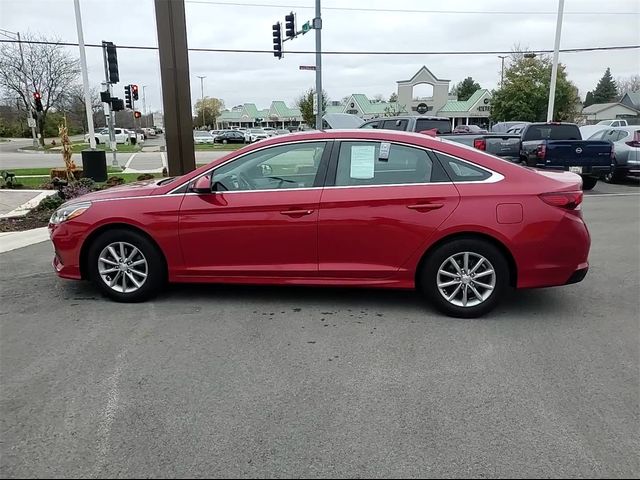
359 164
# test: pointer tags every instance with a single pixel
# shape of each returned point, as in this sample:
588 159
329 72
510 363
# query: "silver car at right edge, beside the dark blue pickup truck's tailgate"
626 151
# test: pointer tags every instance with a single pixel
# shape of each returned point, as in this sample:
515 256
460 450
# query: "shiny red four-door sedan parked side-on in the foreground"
350 208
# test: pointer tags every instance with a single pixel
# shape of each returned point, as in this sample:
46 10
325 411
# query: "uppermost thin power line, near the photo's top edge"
393 10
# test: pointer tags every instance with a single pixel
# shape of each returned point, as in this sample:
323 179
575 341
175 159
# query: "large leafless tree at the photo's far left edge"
48 68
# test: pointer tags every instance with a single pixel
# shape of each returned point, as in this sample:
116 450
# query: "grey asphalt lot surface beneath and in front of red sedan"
211 381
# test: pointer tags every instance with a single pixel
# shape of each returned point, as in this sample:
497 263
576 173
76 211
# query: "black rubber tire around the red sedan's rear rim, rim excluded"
428 276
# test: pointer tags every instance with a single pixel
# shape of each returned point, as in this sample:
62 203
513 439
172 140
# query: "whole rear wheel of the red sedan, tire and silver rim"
465 278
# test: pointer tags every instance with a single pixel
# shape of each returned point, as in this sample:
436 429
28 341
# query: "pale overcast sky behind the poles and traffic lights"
260 78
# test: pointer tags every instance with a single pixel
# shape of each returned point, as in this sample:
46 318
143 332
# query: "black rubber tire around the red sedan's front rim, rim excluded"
156 266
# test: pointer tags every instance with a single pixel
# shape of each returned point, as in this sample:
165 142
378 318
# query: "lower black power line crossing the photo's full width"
332 52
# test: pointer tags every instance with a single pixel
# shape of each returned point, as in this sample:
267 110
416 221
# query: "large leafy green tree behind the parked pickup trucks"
525 92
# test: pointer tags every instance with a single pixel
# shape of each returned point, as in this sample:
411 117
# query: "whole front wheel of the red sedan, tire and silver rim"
126 266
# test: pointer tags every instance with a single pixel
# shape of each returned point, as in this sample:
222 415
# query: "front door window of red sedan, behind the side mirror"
275 168
